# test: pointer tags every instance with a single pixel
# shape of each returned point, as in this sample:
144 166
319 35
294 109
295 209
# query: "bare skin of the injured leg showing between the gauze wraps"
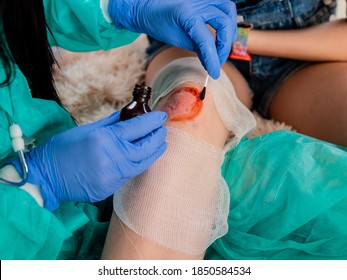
121 241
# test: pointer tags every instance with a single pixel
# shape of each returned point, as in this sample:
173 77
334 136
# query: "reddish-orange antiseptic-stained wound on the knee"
183 105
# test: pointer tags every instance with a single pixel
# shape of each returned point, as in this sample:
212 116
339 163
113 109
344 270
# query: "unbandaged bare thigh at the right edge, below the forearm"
314 101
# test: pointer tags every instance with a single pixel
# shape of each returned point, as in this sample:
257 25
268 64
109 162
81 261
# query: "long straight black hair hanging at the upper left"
25 43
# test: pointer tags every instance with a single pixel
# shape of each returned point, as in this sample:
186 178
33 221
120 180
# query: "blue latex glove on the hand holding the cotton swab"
182 23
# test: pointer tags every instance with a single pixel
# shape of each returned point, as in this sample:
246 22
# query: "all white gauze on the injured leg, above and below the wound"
182 202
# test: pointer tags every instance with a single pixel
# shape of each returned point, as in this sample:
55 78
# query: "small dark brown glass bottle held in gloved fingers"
139 104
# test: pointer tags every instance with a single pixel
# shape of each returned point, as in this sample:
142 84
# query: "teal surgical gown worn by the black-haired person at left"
28 231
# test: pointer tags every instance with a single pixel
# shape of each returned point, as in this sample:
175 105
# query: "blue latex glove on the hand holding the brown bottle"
90 162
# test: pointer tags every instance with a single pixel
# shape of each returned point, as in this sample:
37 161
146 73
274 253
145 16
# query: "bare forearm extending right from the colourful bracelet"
324 42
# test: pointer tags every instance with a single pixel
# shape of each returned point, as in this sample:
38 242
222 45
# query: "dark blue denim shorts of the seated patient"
265 75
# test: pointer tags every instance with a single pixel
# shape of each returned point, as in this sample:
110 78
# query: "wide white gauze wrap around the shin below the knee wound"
181 202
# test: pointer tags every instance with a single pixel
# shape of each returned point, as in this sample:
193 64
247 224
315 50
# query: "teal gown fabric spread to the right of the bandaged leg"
288 200
